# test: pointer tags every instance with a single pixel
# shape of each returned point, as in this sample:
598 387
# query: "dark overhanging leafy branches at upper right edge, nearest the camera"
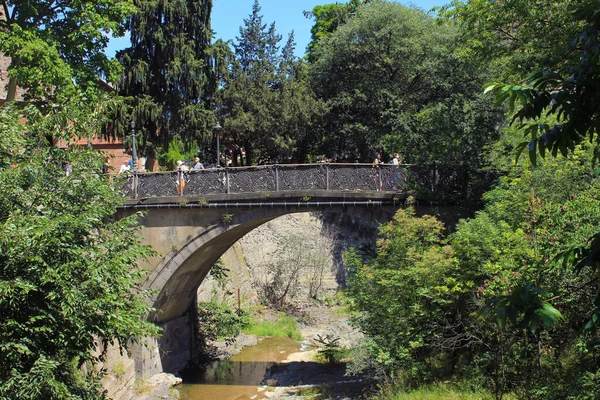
566 89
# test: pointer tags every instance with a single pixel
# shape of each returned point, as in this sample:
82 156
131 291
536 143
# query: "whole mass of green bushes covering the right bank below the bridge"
480 313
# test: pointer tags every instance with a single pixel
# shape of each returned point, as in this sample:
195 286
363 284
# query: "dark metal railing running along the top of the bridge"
298 177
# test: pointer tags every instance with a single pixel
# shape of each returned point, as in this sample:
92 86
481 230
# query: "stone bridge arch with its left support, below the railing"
191 238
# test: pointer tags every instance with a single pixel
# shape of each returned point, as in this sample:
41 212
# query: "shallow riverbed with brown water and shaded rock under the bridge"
276 367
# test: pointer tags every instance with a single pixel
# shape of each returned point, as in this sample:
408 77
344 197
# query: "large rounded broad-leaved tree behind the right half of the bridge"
400 87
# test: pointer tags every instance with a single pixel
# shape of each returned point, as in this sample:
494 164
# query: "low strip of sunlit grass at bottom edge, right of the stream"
434 392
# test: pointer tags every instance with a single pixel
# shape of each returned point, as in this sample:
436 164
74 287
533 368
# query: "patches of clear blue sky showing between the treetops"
228 16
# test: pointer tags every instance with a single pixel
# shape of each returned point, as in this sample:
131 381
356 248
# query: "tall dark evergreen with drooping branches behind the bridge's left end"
168 71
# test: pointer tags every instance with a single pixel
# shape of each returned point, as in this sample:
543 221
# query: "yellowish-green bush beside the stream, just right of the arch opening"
404 292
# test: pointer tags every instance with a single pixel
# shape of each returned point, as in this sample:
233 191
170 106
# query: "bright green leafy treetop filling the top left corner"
56 44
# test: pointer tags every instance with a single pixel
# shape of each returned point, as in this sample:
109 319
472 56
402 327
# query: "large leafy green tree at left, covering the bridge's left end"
68 270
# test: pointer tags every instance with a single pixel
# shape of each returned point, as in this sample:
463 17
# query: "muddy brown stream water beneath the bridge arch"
238 377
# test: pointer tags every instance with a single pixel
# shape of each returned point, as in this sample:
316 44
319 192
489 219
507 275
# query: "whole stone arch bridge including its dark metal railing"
192 218
